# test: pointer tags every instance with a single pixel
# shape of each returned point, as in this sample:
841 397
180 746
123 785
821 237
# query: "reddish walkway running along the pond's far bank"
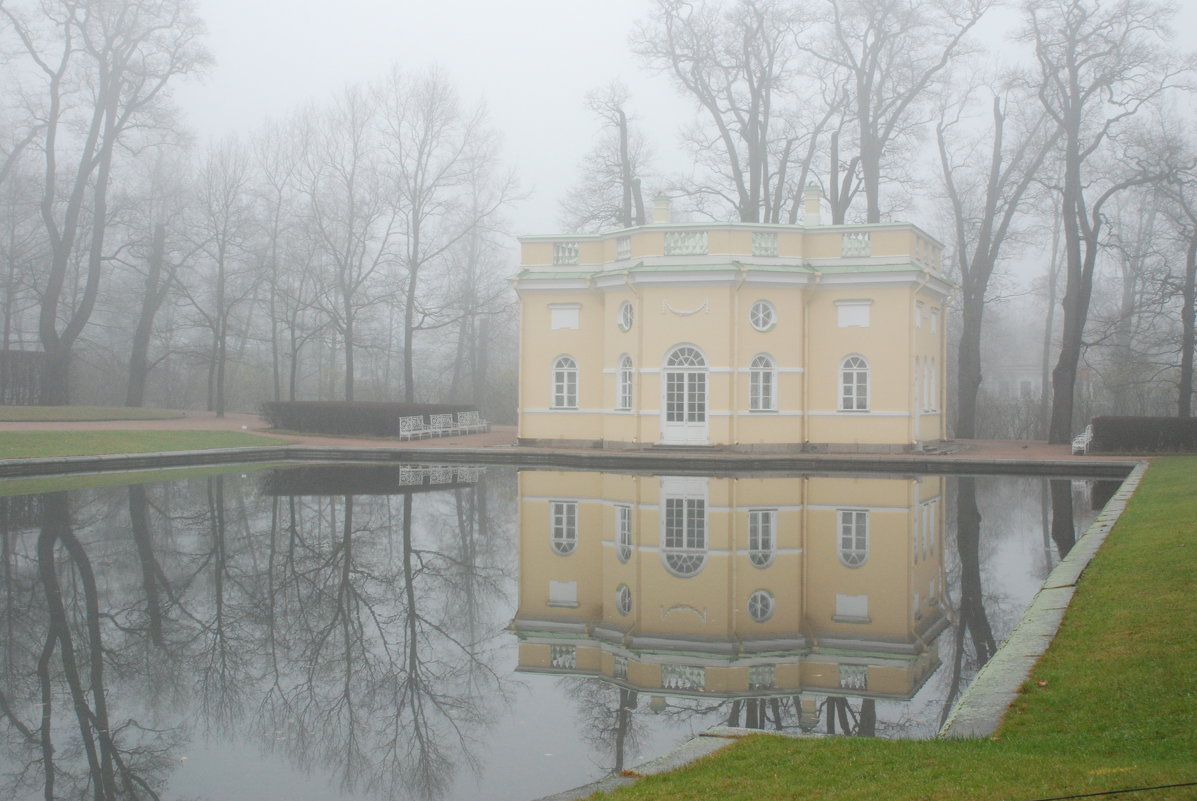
500 436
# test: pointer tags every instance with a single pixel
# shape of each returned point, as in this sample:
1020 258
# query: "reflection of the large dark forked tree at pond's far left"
95 753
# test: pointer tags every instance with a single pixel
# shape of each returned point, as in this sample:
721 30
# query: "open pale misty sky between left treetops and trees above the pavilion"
531 60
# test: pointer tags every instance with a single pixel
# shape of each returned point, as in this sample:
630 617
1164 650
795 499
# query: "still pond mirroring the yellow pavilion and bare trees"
445 633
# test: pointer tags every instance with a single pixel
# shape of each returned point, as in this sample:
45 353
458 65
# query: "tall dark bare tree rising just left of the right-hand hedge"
1099 66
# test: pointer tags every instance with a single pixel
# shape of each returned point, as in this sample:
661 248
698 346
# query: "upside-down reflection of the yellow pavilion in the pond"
786 596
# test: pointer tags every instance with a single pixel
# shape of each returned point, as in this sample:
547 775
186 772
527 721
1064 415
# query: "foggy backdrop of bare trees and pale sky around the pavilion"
246 203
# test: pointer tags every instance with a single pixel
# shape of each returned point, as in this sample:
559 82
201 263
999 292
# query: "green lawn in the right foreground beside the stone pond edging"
1113 705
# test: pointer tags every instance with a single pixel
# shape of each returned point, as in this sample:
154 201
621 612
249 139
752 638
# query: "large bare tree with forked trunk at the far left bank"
105 69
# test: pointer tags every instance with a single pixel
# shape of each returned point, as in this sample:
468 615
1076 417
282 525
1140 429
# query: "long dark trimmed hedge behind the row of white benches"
375 420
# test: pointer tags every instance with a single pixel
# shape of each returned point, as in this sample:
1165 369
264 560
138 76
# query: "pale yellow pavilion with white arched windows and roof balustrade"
738 336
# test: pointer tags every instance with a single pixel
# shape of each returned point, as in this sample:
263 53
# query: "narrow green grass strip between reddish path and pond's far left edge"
47 445
